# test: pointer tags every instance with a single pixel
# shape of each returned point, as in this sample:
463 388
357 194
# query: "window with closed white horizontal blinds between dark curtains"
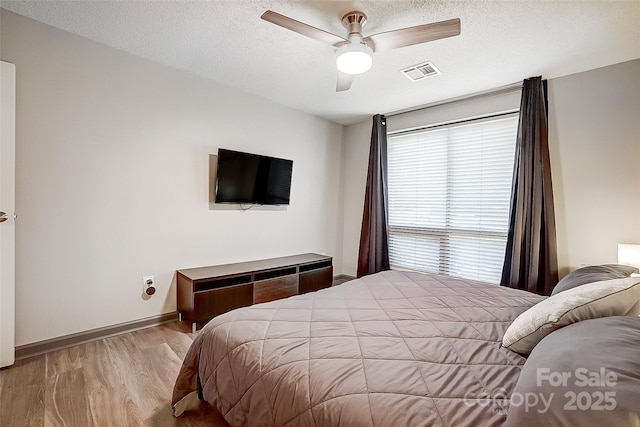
449 192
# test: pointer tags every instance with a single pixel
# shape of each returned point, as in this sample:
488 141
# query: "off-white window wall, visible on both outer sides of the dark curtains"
594 142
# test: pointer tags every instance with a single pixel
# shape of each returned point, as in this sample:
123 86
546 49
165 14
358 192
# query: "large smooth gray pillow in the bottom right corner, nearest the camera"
599 362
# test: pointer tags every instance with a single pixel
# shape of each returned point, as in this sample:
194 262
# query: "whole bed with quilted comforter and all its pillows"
411 349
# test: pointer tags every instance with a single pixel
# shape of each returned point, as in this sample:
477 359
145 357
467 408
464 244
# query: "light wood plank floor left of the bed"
121 381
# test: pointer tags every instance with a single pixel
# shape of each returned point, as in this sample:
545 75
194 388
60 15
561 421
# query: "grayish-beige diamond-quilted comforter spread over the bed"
390 349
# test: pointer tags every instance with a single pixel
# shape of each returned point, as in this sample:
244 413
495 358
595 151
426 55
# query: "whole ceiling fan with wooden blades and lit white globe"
354 54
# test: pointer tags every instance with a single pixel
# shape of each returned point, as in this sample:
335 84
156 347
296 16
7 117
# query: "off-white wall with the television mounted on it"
112 180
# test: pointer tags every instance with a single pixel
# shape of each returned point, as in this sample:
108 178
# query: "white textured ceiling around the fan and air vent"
501 42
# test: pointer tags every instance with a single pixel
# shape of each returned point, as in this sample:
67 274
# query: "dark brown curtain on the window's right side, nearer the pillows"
531 261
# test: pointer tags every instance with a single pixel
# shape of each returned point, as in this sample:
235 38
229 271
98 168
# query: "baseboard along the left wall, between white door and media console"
46 346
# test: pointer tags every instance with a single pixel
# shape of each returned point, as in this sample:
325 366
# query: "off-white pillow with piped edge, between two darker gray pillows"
617 297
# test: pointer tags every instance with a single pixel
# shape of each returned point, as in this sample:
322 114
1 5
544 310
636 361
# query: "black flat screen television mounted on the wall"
244 178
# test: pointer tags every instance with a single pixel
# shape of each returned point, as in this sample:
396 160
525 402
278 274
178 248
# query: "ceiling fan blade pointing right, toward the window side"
414 35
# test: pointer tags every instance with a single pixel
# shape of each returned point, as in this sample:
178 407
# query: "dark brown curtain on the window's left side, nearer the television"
374 238
